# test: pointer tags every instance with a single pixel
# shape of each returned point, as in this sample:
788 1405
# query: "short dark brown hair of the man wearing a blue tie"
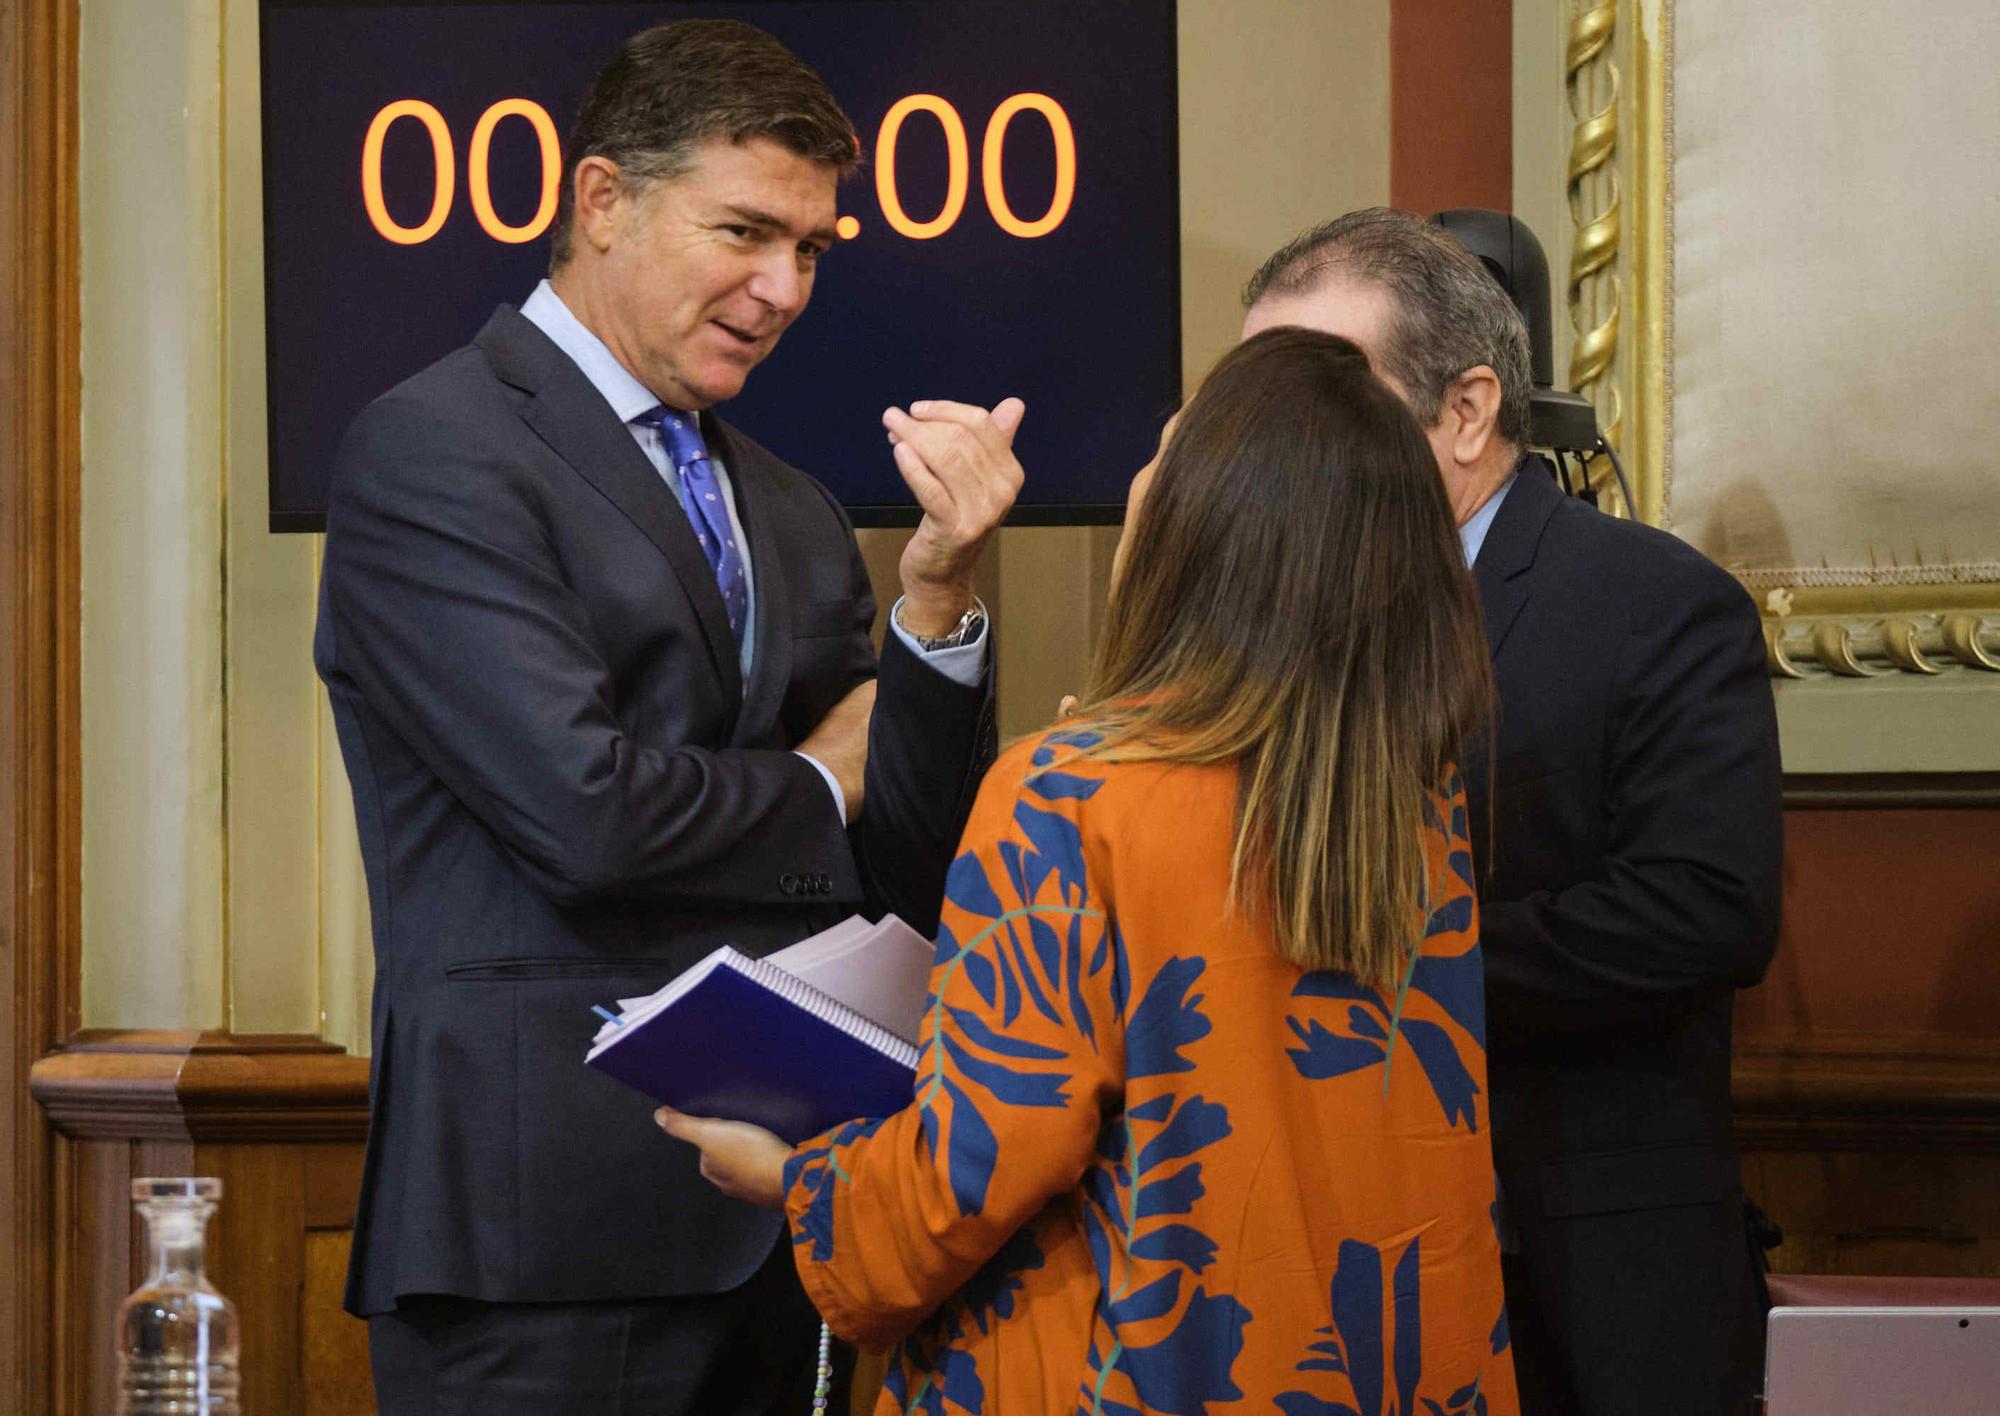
675 87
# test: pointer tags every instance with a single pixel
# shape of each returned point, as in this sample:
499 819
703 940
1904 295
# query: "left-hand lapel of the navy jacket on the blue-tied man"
575 421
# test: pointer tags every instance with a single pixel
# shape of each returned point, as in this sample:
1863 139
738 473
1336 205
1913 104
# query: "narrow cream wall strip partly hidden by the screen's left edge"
271 691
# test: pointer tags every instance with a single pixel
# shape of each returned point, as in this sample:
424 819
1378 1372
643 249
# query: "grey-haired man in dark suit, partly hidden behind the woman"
1629 853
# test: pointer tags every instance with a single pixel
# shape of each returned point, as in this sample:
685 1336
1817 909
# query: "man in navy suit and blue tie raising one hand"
605 691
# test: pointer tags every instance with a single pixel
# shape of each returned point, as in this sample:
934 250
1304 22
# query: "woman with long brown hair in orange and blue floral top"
1201 1115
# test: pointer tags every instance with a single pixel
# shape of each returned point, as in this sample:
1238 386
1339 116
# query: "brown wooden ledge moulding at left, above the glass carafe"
205 1087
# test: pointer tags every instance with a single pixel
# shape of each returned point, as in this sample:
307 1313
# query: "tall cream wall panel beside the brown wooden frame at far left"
151 515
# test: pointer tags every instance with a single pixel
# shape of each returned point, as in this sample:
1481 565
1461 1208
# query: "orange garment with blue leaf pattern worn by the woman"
1149 1165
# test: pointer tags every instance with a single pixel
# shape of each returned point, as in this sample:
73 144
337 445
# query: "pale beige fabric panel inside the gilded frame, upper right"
1833 293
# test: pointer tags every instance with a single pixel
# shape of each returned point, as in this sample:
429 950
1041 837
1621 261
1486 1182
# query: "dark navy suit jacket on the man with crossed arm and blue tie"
567 795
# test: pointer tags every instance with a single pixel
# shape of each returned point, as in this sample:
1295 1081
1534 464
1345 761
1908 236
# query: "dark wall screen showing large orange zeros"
1015 227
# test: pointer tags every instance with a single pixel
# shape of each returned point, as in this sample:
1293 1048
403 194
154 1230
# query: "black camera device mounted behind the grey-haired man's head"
1559 423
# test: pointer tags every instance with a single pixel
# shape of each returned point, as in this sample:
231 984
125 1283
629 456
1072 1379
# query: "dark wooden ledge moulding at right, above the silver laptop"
1869 1093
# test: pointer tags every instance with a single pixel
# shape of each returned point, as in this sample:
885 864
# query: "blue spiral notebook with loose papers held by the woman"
801 1041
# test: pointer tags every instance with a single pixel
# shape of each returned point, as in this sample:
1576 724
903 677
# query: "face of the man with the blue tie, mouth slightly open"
705 271
